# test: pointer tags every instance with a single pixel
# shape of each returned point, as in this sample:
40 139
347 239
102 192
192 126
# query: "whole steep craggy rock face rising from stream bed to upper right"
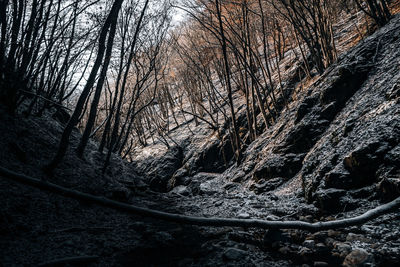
342 135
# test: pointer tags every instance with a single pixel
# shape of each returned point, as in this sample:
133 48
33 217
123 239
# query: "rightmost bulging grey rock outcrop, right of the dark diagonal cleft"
351 153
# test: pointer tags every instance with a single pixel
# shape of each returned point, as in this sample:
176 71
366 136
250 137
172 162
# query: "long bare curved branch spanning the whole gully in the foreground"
204 221
